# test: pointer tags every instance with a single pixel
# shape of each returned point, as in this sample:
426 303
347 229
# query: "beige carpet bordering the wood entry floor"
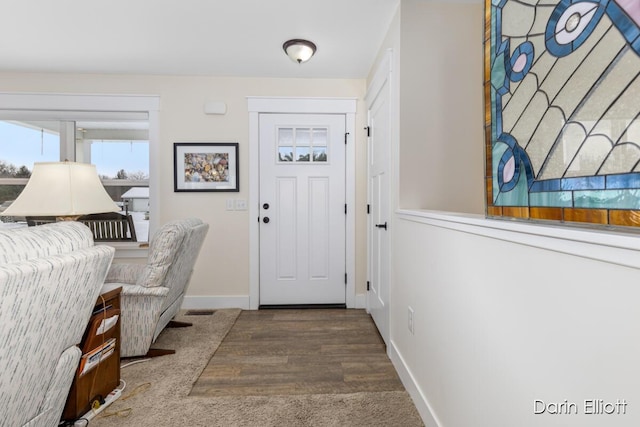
157 392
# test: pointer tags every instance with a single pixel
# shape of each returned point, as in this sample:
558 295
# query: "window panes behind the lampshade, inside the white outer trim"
123 165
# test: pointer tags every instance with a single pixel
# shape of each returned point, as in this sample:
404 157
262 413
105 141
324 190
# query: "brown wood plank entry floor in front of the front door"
309 351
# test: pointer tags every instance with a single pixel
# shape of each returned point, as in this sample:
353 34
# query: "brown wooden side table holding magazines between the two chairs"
99 371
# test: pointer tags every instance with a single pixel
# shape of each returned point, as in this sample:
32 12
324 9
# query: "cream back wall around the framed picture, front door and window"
222 271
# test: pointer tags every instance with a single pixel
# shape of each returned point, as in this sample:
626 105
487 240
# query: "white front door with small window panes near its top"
302 209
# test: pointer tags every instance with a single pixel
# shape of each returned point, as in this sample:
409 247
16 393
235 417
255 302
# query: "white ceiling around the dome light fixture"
192 37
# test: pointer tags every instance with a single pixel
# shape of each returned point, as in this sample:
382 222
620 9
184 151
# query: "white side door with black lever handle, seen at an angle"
379 156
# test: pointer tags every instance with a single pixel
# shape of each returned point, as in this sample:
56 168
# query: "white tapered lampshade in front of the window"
62 189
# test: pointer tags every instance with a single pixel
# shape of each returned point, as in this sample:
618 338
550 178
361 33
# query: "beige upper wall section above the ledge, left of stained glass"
441 120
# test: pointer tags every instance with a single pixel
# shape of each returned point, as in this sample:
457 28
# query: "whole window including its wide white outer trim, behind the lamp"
118 143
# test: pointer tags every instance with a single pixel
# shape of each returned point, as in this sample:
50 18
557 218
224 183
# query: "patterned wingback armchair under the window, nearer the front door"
152 293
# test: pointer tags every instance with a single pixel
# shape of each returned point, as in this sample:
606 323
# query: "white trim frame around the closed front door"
288 105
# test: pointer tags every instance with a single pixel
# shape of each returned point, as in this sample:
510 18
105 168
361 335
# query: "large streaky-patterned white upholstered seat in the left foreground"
50 278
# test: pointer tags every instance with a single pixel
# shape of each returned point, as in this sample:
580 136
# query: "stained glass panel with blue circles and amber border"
562 86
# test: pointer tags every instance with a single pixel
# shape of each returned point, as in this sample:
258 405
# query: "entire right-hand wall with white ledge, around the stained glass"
506 313
